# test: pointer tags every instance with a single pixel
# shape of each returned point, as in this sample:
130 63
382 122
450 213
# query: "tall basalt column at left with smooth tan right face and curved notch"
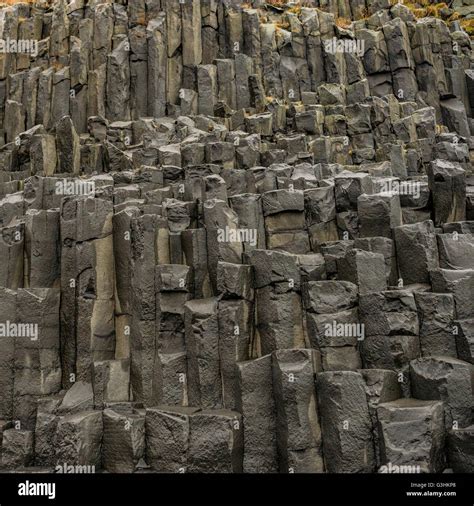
87 285
